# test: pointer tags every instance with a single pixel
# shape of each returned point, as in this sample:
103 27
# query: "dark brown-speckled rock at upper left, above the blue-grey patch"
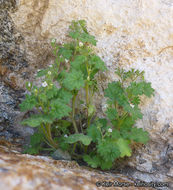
12 58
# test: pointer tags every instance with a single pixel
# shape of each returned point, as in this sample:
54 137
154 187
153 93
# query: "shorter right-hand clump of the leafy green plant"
114 134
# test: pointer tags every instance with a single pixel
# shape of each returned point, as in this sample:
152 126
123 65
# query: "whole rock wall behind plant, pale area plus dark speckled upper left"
131 33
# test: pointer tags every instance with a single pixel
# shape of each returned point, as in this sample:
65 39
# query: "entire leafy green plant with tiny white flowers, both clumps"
65 108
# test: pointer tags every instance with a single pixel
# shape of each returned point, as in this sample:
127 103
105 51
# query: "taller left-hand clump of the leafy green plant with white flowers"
75 68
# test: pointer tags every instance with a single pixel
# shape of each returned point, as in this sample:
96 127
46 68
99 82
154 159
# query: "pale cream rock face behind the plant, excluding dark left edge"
132 34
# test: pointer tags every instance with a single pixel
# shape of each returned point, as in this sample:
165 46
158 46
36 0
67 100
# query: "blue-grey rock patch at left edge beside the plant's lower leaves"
9 114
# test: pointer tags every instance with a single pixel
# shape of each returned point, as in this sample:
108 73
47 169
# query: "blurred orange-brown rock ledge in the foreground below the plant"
19 171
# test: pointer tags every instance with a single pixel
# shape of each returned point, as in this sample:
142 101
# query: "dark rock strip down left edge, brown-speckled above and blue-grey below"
12 75
